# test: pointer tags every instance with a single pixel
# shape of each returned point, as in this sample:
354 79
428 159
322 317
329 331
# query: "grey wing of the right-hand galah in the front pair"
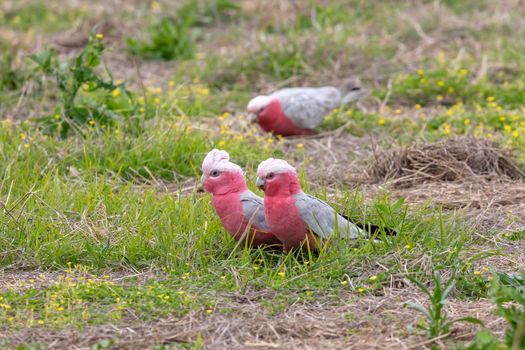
321 218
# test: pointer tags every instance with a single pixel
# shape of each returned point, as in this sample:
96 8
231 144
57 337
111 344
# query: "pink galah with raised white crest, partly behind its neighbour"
238 208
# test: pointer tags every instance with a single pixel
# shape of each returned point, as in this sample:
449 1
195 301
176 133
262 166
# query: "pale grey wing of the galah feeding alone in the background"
307 107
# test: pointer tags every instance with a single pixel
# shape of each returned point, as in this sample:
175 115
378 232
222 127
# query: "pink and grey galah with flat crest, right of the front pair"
297 218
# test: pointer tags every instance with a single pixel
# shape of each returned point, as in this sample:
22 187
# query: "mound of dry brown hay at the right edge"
450 160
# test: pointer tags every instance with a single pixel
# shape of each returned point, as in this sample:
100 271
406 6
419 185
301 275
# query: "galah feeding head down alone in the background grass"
297 111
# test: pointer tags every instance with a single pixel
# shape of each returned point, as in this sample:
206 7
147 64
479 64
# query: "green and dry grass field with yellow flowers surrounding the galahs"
106 227
